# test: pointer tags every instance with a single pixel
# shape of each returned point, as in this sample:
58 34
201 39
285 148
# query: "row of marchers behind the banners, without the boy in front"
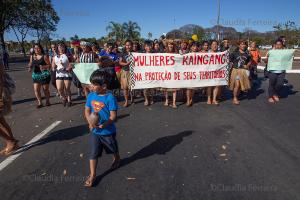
55 67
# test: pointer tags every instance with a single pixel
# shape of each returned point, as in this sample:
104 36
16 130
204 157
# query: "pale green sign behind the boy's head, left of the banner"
84 71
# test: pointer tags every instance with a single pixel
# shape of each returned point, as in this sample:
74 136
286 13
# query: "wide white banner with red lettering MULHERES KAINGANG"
162 70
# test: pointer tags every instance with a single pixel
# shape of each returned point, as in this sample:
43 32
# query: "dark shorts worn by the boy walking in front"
100 142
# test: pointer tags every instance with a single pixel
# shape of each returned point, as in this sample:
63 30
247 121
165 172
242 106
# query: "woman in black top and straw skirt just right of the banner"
239 78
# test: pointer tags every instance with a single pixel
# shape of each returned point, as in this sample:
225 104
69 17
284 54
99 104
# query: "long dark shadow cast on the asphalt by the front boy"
160 146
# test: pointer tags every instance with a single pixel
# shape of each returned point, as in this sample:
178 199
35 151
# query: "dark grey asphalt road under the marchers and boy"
251 151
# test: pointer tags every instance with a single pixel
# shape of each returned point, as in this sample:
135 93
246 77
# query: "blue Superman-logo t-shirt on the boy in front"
102 104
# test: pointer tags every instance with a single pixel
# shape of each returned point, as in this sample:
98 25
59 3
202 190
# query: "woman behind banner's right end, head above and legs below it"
212 92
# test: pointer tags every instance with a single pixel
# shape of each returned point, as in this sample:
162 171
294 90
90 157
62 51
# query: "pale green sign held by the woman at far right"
280 59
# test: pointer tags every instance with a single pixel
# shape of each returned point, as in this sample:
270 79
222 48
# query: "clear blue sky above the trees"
89 18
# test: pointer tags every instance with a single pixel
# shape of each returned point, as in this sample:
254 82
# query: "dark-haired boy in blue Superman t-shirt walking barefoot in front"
103 105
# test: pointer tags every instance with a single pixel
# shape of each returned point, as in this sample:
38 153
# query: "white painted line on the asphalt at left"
13 157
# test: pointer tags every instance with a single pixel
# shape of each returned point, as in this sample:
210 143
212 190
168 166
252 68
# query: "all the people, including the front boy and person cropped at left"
101 106
